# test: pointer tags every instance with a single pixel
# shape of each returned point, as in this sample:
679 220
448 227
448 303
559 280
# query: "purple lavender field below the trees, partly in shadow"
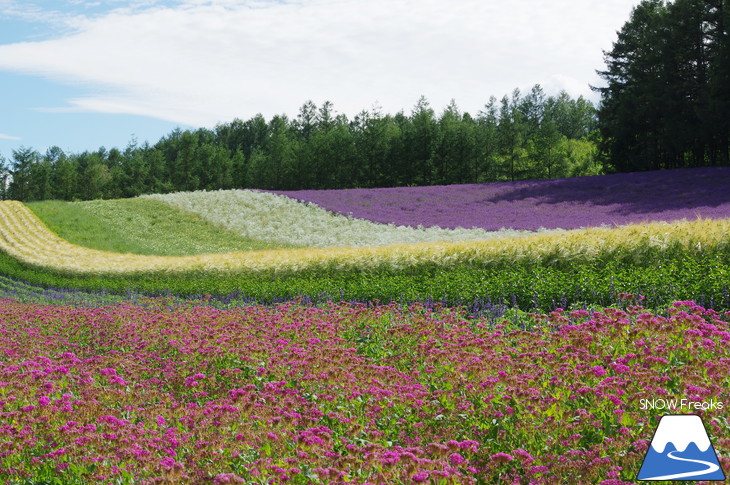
557 203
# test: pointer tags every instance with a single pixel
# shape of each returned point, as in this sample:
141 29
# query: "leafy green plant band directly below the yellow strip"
660 277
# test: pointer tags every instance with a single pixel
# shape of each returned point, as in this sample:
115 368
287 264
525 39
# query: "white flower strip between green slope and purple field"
277 218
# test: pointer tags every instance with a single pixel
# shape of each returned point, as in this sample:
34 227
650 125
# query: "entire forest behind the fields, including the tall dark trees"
665 104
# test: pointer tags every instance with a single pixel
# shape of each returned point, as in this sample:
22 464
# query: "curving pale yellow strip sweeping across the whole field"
24 237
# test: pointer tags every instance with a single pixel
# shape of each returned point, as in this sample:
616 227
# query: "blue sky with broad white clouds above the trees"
85 74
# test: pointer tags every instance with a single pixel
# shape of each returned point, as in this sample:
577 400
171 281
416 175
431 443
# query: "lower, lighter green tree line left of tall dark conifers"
518 137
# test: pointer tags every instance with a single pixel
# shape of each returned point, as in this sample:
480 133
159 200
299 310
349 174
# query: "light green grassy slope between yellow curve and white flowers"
140 226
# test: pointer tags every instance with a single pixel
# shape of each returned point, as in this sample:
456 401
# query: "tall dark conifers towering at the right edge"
666 103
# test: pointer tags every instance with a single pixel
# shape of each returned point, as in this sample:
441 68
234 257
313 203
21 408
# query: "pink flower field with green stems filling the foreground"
346 393
